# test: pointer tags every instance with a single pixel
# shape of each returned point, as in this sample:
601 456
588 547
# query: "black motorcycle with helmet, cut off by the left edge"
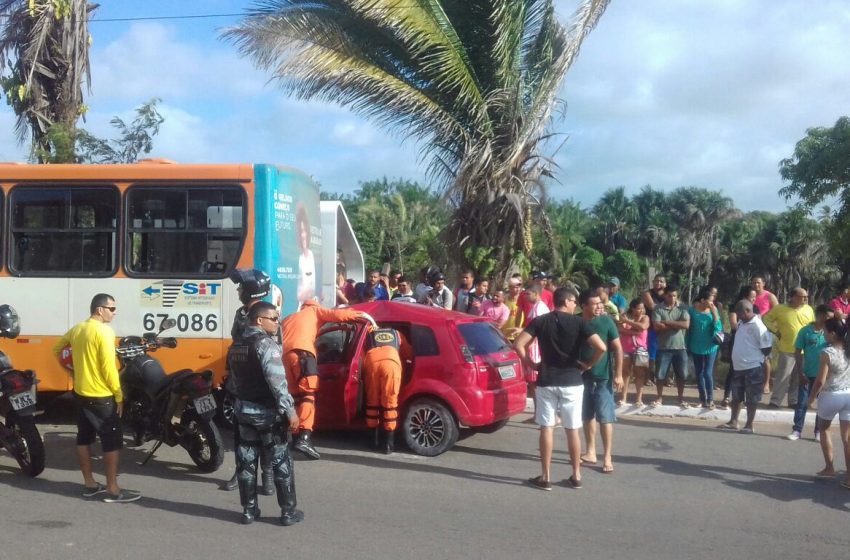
18 432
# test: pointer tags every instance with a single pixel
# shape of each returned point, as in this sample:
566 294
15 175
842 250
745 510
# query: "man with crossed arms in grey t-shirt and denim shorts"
670 320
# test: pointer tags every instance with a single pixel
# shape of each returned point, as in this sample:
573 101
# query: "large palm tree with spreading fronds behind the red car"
476 81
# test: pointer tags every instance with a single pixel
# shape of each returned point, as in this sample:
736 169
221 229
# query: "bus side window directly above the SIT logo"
184 231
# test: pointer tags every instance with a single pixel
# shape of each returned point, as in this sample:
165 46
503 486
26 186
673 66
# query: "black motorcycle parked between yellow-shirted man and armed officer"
174 409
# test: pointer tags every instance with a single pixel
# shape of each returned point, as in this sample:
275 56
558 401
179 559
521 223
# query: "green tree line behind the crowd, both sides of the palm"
694 236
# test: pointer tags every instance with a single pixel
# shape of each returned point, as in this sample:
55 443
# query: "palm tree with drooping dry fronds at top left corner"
44 48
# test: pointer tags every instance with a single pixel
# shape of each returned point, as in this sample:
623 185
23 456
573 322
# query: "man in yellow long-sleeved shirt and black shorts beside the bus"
97 391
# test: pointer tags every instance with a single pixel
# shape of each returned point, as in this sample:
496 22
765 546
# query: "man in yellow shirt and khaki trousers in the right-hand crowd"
785 321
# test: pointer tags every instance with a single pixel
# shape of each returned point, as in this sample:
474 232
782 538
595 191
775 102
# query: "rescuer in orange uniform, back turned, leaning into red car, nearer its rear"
382 367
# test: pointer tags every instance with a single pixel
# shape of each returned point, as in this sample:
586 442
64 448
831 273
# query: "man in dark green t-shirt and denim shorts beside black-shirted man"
598 406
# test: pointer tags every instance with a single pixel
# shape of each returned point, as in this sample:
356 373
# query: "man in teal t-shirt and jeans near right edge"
809 343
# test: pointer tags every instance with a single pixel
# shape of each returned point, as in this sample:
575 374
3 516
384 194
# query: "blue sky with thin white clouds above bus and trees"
711 94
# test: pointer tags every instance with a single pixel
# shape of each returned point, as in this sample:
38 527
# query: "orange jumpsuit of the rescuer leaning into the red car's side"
382 367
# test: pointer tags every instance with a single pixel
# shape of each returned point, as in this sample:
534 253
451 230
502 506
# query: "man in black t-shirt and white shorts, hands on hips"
560 389
